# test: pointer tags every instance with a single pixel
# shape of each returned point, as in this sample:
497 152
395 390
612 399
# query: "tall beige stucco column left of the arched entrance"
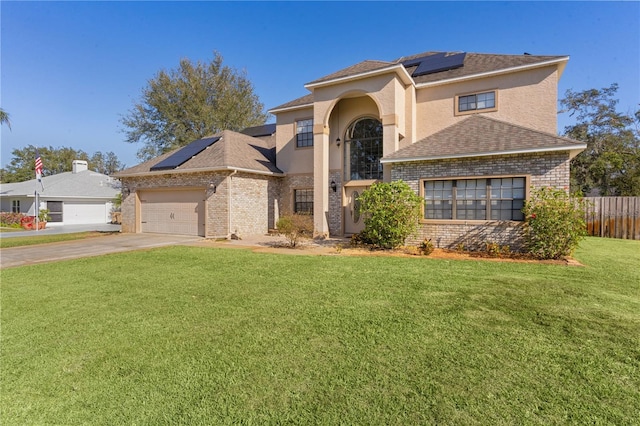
320 180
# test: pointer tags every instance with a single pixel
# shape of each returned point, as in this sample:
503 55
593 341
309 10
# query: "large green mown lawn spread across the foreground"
191 335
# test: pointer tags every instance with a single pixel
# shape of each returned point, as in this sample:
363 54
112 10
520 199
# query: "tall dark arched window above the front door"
363 149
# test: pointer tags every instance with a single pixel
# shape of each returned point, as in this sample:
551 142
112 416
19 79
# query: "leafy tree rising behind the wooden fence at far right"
611 162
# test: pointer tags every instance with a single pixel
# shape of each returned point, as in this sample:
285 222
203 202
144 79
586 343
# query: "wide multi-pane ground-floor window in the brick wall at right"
475 199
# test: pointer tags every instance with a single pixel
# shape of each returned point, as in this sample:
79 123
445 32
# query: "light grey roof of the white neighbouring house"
84 184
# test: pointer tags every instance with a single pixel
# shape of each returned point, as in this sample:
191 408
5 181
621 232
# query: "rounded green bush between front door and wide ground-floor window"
391 213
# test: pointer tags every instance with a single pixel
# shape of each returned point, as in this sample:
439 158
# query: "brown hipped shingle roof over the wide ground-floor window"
477 136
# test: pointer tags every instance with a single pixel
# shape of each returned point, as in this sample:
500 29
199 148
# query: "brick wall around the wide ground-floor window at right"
544 169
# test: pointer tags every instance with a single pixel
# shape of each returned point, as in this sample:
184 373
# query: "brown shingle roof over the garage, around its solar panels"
232 151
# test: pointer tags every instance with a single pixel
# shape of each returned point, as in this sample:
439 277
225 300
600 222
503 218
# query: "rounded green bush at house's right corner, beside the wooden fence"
554 224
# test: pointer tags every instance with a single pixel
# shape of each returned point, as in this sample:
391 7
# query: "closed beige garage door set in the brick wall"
172 212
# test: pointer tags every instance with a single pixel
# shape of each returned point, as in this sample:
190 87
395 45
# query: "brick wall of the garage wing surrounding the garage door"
253 207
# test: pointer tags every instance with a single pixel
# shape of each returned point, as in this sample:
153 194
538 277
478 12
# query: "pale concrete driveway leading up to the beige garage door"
95 246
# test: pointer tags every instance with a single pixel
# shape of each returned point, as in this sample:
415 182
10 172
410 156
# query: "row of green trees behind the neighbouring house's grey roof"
54 161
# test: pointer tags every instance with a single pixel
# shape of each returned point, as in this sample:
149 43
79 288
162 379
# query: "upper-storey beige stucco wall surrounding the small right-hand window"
526 98
